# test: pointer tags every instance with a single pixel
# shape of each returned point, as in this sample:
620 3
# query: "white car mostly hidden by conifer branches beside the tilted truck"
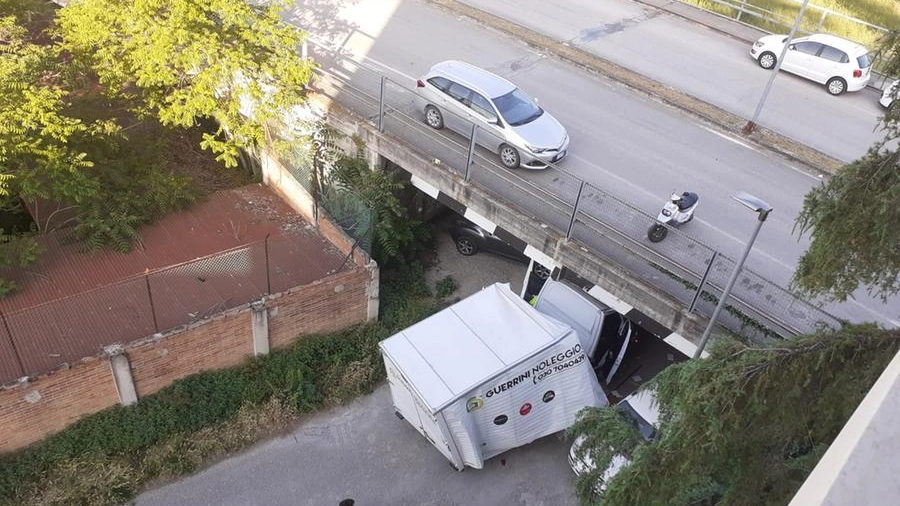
641 410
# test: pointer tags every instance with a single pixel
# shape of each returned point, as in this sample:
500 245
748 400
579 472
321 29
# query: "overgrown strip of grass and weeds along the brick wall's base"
107 458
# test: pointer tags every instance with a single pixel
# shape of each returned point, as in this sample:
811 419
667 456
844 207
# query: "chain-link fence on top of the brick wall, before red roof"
66 330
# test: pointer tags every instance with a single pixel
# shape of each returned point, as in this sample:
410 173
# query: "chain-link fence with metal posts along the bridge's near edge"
577 209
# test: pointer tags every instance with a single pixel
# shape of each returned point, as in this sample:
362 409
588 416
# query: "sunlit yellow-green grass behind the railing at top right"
776 16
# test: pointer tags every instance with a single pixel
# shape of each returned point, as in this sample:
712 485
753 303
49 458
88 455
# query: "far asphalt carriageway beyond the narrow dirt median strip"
714 68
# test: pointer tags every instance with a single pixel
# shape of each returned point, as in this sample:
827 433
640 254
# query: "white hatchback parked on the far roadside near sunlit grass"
841 65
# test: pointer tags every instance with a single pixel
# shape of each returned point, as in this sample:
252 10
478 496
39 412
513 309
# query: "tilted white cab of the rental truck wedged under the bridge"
603 332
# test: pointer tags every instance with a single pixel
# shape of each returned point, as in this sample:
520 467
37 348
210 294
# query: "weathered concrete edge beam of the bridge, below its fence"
646 299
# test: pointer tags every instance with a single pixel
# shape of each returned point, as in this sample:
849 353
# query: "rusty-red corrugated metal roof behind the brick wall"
196 263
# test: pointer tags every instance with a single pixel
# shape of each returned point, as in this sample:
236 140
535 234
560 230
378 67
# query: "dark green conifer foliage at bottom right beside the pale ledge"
743 427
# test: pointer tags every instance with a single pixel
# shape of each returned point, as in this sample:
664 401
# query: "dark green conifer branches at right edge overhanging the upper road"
852 219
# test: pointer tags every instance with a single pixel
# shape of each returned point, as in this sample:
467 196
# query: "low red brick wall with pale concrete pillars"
47 404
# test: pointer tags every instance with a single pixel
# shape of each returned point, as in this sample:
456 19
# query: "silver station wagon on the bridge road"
456 95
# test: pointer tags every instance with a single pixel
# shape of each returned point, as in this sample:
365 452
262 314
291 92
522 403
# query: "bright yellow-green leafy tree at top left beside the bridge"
181 60
